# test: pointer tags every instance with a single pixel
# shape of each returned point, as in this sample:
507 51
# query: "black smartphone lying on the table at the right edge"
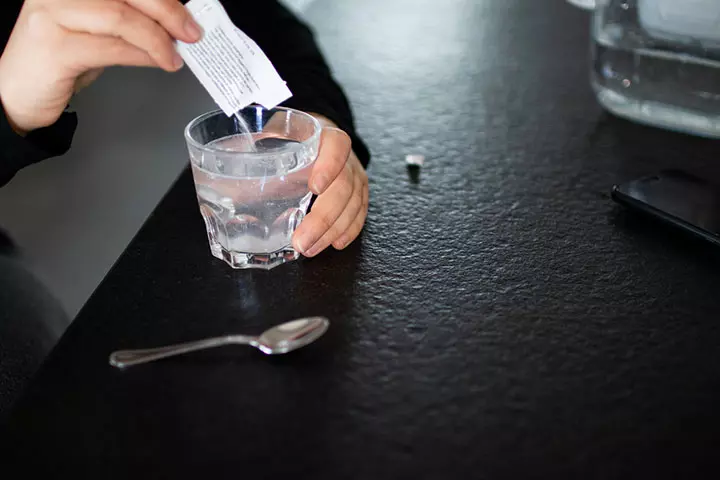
676 198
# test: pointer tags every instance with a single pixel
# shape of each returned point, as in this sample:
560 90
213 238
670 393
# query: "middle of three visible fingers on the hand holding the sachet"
116 19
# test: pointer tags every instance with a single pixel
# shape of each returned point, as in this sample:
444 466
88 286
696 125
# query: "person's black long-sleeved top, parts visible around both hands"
287 42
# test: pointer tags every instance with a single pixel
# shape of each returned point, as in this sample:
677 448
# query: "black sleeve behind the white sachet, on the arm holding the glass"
291 47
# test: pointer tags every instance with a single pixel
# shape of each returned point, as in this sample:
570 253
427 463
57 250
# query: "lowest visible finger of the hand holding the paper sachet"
92 51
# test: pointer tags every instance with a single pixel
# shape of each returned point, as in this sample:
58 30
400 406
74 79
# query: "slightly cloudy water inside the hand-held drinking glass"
251 208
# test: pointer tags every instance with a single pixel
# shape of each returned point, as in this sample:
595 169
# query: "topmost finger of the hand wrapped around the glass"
335 150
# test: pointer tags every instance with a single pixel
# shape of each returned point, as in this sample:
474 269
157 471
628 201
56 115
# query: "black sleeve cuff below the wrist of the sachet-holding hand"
17 152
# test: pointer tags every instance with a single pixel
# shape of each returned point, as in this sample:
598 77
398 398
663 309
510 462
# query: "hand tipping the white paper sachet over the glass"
60 46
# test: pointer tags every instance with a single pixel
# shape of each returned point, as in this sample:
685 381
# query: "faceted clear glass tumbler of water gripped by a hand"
253 189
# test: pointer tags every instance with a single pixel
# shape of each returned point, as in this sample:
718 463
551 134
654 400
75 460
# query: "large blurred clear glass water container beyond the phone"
658 62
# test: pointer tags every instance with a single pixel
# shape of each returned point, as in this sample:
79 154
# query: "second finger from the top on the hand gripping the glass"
325 212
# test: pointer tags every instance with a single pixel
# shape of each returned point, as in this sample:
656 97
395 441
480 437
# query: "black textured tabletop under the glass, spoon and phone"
499 318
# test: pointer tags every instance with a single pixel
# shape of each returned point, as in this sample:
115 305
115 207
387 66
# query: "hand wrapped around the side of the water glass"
340 181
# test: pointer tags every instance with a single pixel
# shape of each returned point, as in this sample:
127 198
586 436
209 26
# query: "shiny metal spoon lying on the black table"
282 338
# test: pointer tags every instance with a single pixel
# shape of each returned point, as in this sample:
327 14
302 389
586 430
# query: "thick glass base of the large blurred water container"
658 114
